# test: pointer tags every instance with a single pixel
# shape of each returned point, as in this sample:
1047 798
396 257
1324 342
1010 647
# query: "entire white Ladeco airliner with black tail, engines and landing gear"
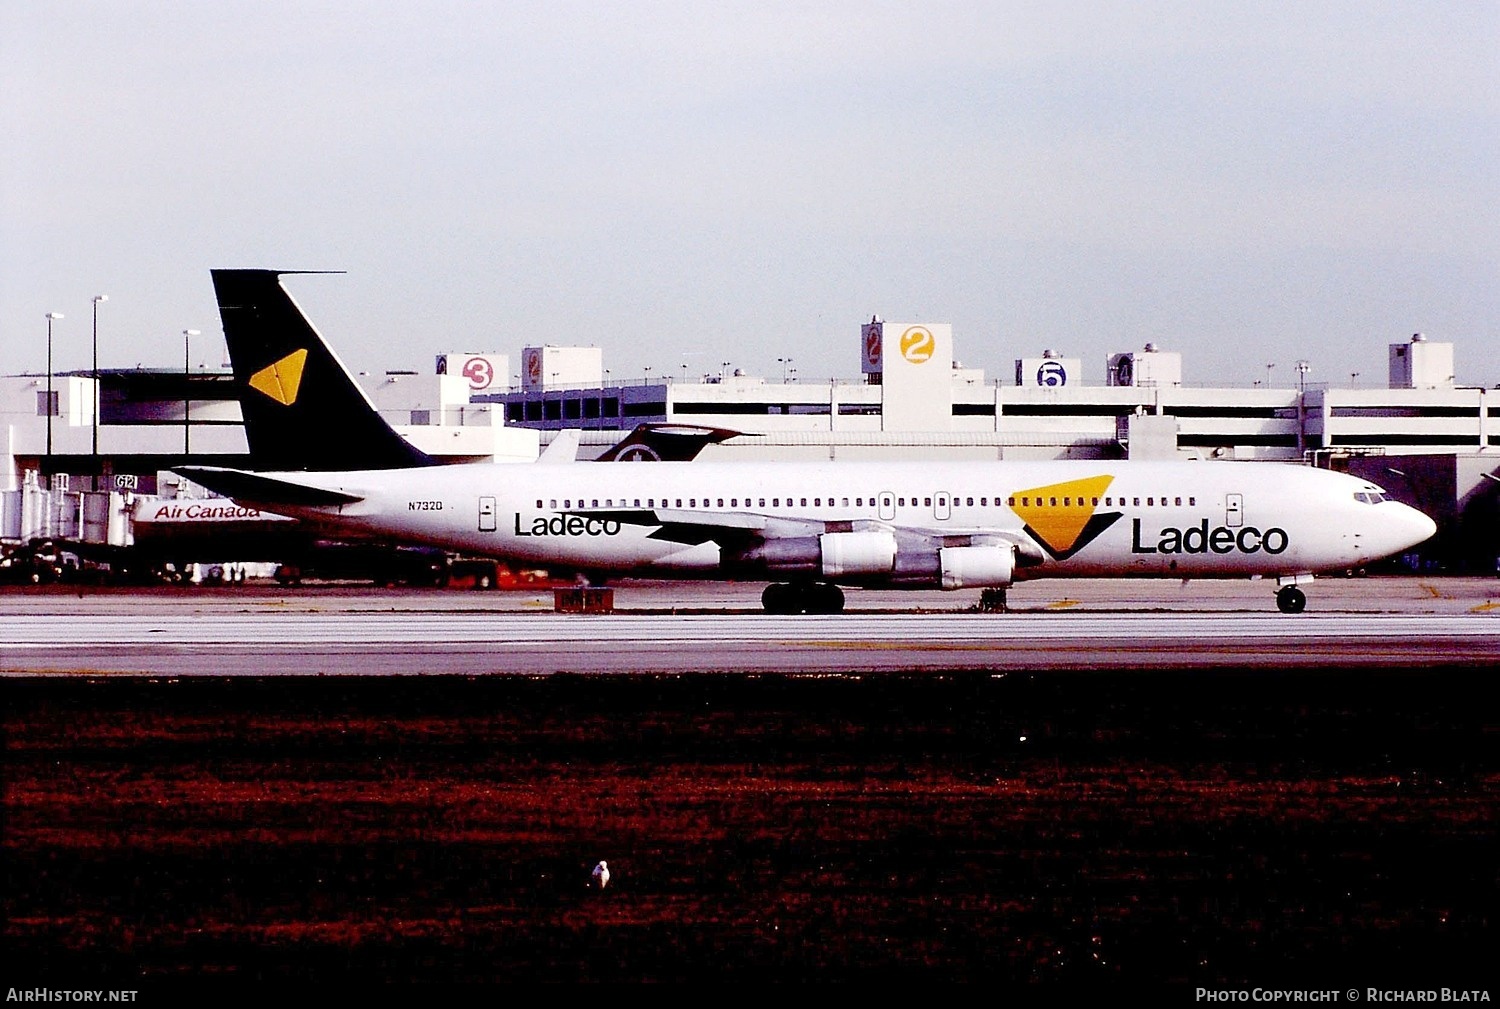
806 528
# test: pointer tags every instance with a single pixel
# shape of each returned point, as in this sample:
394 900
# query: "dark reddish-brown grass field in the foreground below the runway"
1186 828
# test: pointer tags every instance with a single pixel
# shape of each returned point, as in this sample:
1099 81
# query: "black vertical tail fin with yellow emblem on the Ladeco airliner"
302 407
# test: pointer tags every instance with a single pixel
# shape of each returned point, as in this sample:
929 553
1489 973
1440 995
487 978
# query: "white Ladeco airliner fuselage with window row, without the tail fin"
1084 519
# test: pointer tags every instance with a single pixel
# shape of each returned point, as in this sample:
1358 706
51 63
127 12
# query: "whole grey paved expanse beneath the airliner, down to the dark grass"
685 627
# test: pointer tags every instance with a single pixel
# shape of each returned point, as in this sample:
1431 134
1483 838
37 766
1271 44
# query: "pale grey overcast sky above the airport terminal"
709 184
